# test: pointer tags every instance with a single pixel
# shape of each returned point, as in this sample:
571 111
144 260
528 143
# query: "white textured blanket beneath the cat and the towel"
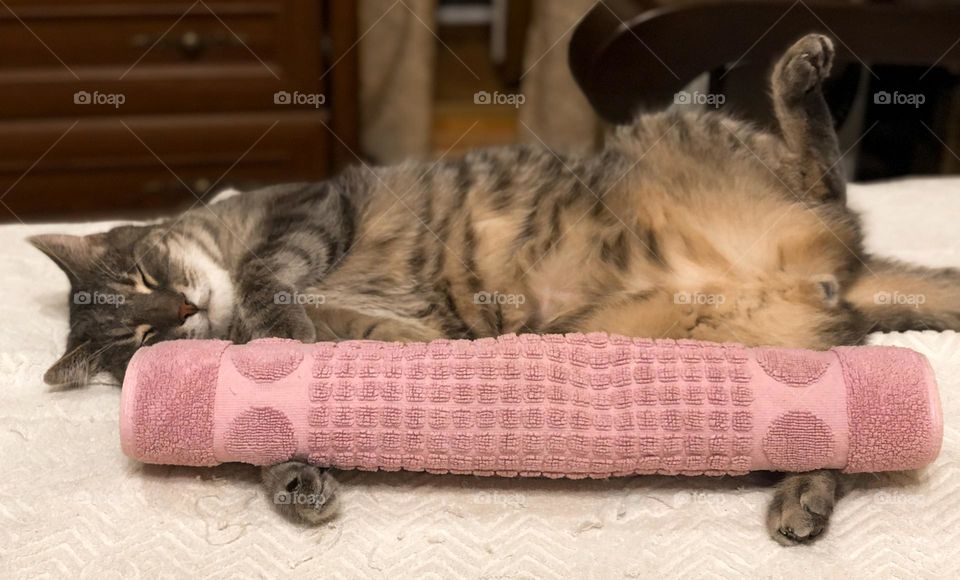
71 505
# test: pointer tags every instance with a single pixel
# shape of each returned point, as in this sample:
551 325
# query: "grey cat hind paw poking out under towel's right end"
802 504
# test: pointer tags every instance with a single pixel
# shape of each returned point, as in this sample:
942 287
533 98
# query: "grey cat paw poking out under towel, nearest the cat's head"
301 492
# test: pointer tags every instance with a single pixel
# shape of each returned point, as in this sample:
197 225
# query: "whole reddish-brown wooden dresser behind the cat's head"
111 107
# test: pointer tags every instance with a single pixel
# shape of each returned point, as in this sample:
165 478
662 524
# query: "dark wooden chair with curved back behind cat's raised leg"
632 55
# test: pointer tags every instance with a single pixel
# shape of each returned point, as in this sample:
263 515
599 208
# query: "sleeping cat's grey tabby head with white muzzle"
129 287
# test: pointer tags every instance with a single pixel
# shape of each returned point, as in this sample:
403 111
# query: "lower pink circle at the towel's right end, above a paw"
798 441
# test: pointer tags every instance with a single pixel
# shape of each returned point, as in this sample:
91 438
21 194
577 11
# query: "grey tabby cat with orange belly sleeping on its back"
686 225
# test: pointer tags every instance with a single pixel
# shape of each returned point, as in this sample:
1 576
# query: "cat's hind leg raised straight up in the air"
809 156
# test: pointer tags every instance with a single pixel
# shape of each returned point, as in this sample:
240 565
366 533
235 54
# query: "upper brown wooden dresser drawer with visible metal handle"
158 56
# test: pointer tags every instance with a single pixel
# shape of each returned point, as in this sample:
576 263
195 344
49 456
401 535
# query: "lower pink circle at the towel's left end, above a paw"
262 436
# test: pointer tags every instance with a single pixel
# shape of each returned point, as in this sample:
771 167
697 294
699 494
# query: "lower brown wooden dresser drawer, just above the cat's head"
139 165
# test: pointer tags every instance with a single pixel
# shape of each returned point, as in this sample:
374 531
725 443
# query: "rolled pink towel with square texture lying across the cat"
574 406
